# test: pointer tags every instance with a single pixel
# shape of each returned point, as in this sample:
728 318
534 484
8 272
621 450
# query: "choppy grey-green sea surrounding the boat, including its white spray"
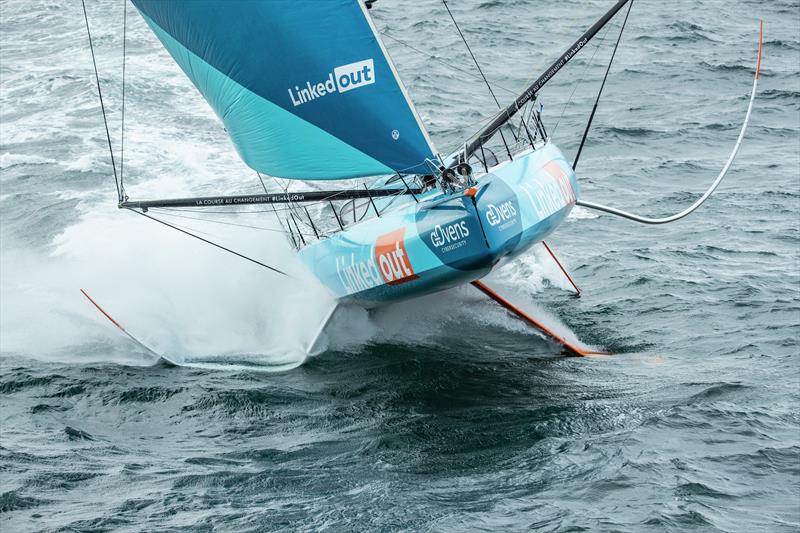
443 414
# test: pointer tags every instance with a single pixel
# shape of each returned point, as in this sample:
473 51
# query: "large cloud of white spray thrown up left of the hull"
192 302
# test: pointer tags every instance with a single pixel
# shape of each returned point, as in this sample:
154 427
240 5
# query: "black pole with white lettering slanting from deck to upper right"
530 93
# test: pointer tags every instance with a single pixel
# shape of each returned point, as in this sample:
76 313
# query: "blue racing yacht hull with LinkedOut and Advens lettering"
448 240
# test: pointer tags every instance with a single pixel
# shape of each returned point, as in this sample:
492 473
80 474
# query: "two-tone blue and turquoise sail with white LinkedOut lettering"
305 89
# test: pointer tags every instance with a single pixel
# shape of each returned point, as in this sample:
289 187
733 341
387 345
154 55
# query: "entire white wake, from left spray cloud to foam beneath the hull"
206 309
